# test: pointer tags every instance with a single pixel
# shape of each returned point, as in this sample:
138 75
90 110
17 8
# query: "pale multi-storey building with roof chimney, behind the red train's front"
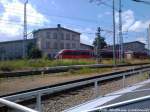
52 40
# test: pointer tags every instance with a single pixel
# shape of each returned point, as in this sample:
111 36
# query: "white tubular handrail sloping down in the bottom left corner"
15 106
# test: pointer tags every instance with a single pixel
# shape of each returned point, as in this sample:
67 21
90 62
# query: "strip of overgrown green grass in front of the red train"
45 62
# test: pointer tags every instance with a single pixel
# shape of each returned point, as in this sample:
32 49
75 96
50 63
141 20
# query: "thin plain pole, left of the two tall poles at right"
114 35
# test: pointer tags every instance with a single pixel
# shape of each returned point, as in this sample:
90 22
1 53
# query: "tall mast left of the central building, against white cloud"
25 30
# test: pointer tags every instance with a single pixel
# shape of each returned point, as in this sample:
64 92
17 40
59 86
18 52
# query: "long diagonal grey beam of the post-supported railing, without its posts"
66 86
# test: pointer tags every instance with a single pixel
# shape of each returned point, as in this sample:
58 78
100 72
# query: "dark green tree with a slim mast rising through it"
99 43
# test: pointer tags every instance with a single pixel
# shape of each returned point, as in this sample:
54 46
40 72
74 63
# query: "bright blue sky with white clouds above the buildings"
78 15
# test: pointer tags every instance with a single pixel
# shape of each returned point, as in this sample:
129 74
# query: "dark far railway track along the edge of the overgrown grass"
48 70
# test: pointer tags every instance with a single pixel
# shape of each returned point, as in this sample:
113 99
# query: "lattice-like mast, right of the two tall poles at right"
121 50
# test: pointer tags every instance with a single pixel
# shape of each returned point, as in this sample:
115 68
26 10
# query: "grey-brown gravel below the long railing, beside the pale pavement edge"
65 101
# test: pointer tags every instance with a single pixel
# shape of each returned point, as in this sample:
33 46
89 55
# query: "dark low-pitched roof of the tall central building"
56 29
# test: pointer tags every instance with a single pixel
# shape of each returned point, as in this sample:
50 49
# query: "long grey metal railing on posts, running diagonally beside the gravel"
38 93
